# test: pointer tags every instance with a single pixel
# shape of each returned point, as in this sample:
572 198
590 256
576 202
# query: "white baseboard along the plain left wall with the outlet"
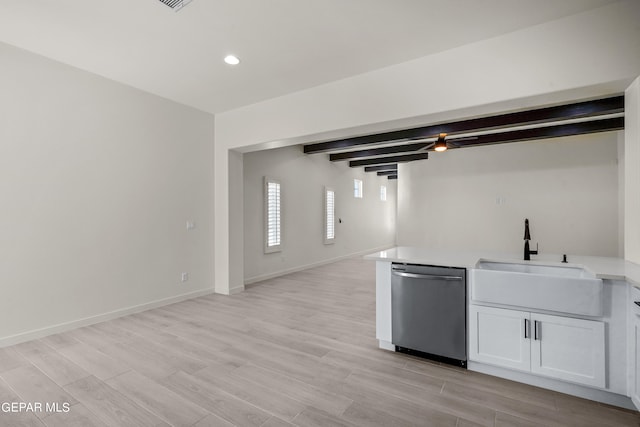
67 326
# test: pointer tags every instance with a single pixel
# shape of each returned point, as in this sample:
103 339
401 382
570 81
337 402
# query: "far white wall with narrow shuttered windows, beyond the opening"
367 224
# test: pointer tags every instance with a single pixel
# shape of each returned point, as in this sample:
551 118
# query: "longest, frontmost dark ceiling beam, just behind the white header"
548 114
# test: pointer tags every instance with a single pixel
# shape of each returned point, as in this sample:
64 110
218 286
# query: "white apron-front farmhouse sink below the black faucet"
564 288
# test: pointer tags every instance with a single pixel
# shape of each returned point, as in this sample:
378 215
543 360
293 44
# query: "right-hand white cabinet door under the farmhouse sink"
568 349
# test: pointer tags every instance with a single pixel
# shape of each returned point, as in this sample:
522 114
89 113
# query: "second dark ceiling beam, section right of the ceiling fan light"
581 128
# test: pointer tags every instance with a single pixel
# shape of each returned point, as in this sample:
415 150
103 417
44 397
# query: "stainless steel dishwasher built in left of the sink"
429 312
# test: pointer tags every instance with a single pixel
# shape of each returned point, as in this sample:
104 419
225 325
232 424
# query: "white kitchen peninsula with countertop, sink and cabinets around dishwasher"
582 343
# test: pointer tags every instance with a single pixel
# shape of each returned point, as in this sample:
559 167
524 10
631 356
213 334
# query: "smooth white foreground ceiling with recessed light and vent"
284 45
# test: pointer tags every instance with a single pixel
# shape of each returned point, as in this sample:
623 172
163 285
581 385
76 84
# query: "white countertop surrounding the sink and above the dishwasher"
602 267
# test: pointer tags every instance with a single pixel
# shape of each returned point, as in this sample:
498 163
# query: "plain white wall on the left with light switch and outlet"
97 181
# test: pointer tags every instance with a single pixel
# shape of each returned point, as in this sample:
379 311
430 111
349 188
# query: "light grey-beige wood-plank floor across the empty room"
296 350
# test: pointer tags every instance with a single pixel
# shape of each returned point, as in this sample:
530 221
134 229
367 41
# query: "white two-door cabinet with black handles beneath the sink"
552 346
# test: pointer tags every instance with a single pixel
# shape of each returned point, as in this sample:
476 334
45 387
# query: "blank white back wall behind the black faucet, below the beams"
477 198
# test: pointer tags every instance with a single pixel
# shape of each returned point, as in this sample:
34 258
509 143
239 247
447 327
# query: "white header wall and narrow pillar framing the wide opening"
585 55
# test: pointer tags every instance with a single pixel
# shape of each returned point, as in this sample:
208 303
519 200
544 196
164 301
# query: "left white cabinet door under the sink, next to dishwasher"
499 337
